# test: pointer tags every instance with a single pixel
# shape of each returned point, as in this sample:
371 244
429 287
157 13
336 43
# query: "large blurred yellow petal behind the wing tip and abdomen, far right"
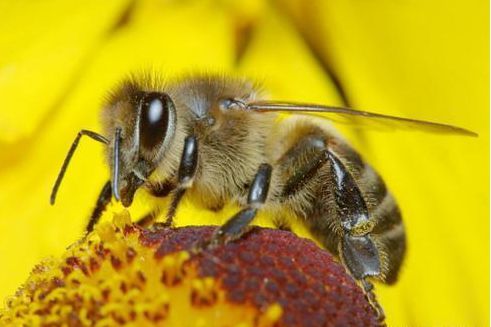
428 60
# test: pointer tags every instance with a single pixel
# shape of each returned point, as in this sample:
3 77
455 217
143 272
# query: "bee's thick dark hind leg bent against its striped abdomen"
355 246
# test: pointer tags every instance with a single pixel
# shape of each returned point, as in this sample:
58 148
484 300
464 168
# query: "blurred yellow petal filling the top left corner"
44 46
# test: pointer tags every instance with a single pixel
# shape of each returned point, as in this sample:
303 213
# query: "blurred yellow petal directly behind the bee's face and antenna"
26 185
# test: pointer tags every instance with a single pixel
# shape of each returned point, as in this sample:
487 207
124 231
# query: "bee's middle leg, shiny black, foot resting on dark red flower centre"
258 193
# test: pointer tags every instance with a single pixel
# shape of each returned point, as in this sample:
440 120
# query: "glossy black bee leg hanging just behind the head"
186 173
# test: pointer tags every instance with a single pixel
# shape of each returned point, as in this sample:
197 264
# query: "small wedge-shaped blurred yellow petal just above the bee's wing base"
278 57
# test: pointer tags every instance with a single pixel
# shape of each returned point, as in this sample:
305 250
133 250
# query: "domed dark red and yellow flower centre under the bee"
122 274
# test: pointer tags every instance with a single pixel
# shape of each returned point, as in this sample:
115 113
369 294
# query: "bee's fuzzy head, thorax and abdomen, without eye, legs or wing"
234 143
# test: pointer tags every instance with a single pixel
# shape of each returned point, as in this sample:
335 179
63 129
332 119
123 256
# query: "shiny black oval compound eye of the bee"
154 119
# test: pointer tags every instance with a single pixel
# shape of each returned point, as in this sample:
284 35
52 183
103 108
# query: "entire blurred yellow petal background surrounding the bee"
415 58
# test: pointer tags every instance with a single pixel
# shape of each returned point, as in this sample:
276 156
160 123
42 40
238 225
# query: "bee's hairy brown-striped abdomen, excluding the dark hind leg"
304 139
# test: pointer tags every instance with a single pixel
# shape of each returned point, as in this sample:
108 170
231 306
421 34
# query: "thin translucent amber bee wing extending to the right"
359 117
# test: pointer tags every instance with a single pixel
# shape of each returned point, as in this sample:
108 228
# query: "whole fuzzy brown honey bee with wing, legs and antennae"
214 139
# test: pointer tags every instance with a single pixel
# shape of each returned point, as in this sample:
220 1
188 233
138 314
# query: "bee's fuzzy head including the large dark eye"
142 125
